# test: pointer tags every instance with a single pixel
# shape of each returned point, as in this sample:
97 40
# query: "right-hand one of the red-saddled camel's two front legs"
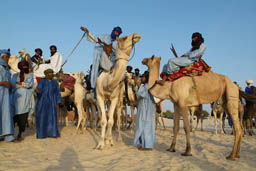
185 115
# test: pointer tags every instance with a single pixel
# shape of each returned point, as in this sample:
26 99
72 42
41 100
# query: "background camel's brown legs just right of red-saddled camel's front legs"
198 111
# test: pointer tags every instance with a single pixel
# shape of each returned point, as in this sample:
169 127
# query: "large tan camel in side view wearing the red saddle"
183 94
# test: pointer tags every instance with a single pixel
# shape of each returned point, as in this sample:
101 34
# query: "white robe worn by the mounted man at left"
55 65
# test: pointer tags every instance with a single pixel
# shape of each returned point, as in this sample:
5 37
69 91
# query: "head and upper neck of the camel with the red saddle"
153 65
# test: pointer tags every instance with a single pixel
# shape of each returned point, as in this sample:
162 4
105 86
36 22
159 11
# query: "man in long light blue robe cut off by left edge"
6 116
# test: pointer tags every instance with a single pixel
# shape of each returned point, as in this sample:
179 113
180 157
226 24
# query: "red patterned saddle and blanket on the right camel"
197 68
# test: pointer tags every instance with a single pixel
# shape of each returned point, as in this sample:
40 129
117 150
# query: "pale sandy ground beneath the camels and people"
76 152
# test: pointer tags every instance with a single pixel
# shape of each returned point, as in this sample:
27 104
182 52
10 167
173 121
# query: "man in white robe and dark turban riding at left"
53 63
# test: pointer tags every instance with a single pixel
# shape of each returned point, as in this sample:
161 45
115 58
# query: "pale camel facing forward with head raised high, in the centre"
108 87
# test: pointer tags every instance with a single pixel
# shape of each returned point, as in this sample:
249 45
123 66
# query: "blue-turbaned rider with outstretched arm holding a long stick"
101 61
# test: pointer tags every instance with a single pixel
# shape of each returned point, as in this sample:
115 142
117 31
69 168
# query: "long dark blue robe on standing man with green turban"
46 112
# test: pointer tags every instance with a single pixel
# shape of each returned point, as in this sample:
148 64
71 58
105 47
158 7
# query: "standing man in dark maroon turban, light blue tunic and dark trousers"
23 98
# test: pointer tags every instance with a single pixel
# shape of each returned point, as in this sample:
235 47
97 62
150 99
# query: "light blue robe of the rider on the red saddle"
174 64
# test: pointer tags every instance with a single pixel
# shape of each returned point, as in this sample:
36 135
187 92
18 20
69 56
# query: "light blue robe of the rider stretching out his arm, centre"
100 58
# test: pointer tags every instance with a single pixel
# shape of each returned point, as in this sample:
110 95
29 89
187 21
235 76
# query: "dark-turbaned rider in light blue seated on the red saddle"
196 52
